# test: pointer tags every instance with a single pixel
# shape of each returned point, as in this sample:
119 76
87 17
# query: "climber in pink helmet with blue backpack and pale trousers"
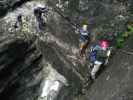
98 56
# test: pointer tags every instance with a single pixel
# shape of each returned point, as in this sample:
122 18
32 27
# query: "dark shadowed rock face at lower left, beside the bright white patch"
20 69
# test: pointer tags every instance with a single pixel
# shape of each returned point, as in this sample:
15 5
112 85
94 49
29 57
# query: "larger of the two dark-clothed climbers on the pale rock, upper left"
39 12
